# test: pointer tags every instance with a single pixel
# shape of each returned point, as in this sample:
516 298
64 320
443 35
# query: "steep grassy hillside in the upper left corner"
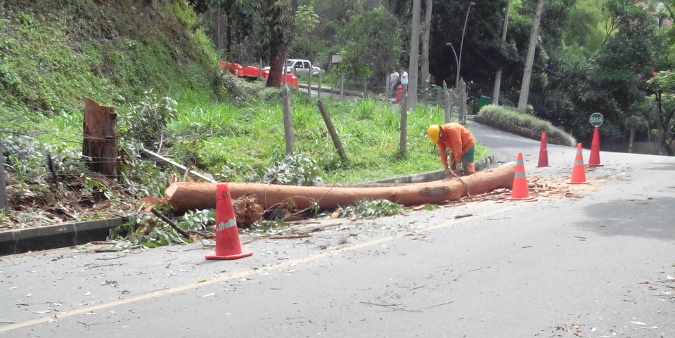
53 53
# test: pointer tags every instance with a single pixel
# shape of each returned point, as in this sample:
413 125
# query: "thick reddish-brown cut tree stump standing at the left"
99 146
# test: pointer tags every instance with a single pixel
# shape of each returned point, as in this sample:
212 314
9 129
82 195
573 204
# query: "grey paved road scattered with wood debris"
548 268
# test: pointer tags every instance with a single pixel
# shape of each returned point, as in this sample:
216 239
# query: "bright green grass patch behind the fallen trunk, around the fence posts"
238 141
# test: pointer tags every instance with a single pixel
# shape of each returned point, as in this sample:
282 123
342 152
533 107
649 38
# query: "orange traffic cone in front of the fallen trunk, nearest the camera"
227 233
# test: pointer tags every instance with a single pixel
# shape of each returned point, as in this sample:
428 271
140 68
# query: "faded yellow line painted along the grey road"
243 273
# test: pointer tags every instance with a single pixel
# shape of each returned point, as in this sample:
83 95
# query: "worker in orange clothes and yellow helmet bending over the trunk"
461 143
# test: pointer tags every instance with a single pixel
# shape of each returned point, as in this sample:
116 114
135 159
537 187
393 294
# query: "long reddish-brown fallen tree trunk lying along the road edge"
184 196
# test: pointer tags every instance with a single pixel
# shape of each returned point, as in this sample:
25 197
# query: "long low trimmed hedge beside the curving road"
508 119
